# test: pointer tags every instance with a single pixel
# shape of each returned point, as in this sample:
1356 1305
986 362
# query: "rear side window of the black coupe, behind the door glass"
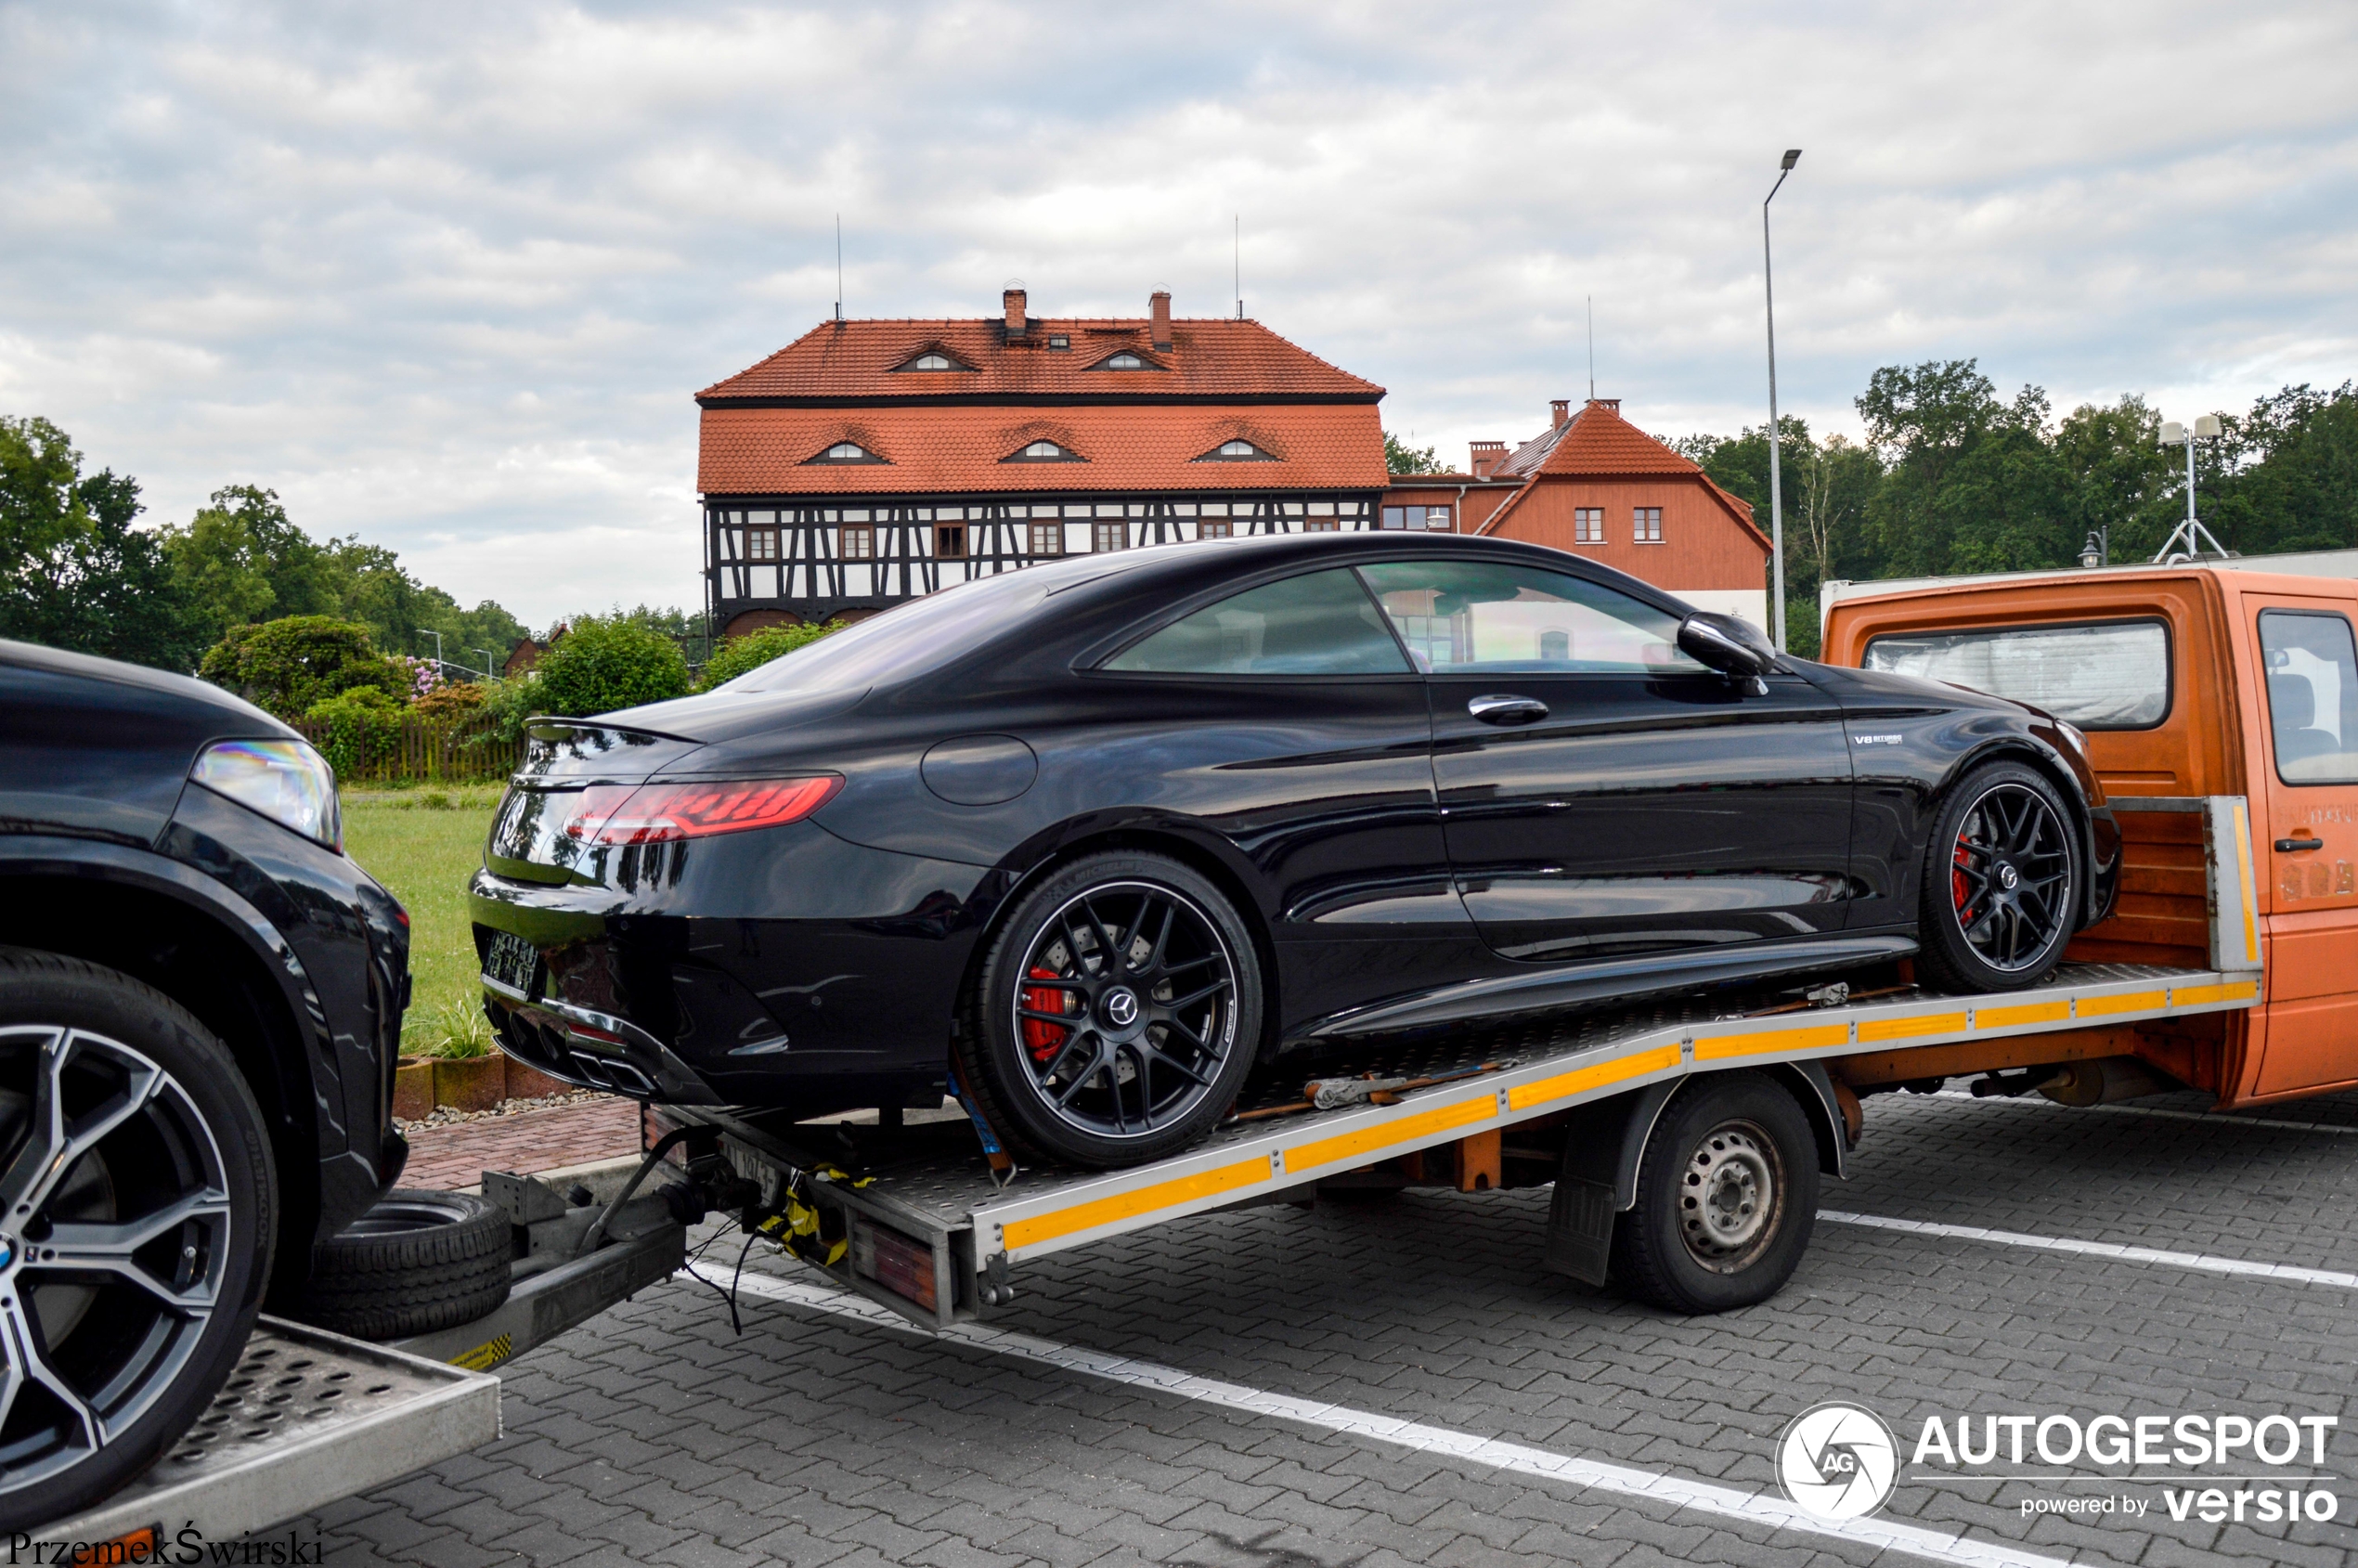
1317 624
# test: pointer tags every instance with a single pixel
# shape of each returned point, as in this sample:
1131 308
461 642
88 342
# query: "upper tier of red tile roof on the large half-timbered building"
1218 360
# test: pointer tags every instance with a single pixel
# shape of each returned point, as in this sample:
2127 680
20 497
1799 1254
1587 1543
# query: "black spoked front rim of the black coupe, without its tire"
2010 878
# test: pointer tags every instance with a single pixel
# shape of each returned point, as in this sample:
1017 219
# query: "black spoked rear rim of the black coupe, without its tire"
1131 1048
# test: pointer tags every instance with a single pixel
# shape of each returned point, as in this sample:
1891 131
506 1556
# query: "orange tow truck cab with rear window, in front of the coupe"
2189 683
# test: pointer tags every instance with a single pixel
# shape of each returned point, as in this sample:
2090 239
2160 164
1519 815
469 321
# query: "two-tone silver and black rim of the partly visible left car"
98 1315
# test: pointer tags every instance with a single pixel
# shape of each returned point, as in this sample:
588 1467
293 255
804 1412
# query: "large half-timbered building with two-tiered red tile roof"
876 461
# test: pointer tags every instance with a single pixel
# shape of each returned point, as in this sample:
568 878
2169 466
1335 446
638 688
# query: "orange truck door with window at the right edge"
2310 796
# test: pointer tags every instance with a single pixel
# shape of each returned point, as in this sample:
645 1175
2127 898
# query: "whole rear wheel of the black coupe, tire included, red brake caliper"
1180 1013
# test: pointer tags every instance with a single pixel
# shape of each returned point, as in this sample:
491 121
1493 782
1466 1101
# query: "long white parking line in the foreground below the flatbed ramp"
1517 1458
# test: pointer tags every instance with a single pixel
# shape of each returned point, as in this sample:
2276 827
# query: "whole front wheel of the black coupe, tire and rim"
2001 883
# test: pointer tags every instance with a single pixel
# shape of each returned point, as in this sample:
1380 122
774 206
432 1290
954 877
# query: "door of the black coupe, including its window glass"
1607 796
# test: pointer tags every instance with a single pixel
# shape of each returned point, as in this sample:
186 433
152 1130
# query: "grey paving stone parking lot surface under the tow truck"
657 1437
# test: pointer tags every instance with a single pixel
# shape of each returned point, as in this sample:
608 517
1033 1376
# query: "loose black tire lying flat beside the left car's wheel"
414 1265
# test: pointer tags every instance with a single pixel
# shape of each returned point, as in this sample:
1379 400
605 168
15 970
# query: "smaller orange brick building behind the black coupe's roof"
1600 487
